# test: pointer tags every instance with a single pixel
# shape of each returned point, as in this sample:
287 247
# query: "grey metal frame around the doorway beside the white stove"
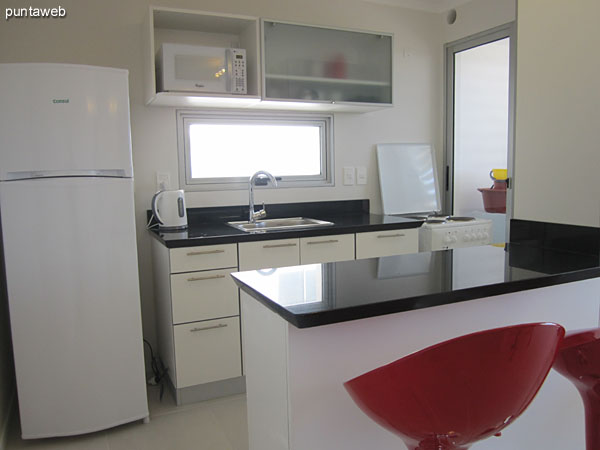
508 30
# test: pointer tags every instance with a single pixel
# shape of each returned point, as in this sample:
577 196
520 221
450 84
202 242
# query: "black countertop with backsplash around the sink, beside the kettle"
207 226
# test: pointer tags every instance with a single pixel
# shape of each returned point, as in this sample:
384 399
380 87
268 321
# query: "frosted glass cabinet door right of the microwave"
329 65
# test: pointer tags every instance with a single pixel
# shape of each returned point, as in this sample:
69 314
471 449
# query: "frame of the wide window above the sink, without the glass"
185 118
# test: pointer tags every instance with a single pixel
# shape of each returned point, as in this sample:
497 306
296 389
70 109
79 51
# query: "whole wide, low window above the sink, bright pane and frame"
221 150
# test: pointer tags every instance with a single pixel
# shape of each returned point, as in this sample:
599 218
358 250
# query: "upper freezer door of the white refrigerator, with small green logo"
63 118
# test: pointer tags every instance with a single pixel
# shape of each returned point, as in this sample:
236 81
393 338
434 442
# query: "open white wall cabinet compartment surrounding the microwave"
200 29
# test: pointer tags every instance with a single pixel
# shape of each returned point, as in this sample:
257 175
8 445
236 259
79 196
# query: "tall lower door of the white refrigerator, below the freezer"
72 279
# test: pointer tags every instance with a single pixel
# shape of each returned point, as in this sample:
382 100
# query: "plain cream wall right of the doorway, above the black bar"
557 148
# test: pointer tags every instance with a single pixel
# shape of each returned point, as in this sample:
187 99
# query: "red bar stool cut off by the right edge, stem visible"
578 359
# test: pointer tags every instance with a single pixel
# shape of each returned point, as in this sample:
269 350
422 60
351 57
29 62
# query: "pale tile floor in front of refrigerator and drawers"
218 424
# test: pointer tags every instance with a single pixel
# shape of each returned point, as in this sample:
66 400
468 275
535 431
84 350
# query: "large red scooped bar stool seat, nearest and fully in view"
455 393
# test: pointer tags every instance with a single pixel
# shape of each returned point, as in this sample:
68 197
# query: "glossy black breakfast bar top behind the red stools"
321 294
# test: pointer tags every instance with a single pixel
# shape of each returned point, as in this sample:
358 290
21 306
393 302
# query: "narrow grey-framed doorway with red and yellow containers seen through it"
479 127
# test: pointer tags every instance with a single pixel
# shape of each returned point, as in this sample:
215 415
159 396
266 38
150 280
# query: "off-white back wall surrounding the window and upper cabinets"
109 33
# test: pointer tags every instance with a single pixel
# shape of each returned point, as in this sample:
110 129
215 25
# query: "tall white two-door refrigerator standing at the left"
68 233
